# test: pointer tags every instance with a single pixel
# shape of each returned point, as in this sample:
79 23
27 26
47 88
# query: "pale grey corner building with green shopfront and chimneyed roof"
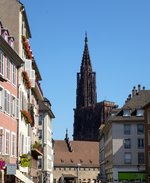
122 141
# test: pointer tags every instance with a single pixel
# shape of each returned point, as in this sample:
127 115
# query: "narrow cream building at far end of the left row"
45 128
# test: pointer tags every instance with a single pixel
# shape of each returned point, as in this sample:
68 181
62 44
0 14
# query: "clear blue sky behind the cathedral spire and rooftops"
119 45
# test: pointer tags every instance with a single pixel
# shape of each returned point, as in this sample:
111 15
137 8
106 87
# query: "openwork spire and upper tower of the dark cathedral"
86 81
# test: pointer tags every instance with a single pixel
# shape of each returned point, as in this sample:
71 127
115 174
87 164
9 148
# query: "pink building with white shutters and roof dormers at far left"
9 100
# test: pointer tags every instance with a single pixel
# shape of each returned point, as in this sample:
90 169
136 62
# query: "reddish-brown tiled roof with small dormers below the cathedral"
84 153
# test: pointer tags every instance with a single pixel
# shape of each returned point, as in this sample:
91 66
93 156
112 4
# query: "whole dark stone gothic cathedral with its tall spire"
88 115
